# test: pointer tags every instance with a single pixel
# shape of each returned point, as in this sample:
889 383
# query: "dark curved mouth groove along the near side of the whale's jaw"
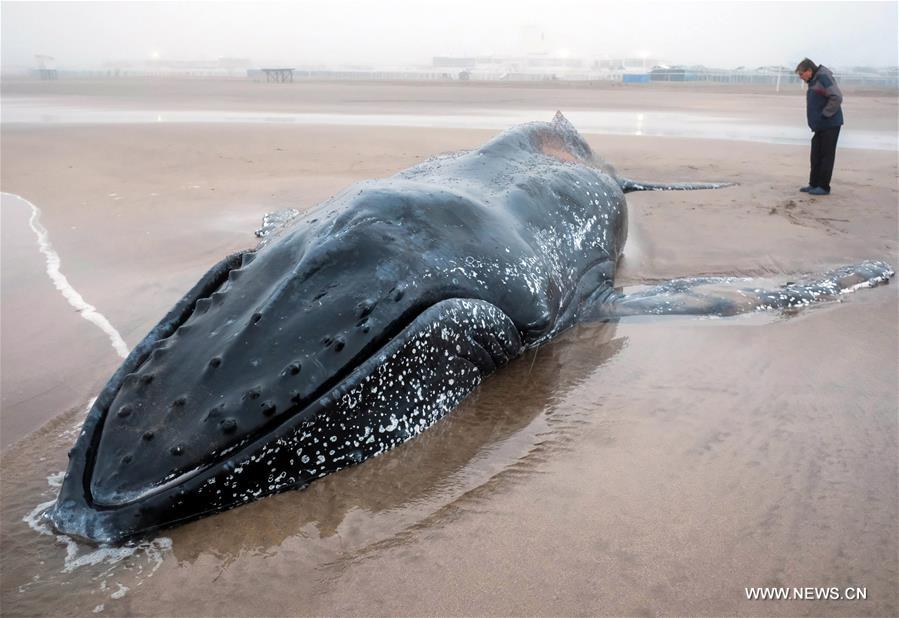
339 379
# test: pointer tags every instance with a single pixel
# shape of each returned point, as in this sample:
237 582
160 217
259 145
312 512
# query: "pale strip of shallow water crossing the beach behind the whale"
662 124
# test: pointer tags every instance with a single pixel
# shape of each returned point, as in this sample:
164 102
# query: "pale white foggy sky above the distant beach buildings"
340 32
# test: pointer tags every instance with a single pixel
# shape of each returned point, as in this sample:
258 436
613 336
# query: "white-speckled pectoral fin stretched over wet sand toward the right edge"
726 296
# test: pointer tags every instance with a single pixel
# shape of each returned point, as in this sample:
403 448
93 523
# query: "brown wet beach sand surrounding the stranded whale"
643 467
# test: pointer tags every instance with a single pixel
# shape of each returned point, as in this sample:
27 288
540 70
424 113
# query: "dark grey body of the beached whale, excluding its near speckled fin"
353 329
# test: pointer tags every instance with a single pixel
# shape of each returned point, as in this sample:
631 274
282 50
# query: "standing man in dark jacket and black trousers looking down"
825 117
